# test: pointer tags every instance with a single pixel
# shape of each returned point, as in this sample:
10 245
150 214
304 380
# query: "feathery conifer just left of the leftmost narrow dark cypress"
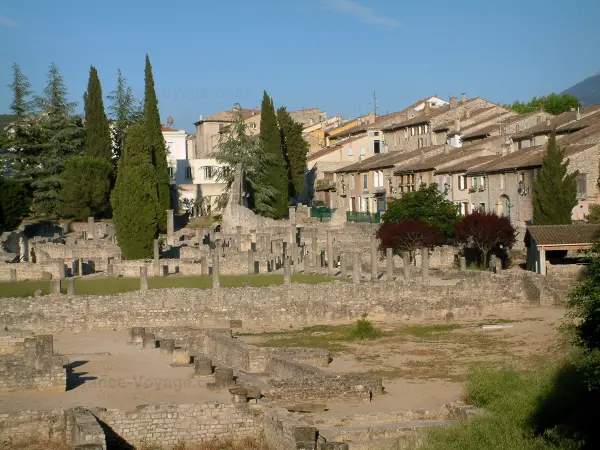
60 137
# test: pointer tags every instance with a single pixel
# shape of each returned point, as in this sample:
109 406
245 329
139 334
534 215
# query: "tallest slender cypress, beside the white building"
156 141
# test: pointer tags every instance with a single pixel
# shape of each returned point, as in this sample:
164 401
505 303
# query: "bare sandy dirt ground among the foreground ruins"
422 363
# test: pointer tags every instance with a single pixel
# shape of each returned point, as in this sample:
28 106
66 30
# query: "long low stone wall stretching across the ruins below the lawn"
298 304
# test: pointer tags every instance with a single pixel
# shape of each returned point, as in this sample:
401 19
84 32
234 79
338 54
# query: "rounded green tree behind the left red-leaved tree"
428 205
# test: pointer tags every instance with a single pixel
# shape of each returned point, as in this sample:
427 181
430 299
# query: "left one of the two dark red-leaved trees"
407 235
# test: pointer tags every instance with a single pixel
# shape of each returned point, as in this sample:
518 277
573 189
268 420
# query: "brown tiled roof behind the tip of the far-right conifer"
523 159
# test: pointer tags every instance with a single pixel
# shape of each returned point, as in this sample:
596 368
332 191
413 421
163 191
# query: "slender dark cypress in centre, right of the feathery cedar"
276 175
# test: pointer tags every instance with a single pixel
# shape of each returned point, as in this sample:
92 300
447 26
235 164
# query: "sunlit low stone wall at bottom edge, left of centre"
167 425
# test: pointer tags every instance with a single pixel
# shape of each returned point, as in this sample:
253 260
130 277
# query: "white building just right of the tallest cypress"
195 179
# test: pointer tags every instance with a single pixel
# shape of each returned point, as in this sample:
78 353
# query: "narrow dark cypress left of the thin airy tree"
97 132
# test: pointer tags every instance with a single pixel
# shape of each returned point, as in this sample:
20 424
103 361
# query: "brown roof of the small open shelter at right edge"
563 234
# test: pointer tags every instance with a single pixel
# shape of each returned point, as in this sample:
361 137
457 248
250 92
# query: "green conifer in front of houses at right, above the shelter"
554 190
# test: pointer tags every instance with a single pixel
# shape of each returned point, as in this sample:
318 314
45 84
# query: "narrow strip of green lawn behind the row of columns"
102 286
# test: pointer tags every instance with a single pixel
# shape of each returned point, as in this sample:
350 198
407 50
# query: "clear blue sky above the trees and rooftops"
330 54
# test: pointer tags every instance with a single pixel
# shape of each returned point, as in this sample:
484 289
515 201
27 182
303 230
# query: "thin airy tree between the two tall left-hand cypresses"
123 111
